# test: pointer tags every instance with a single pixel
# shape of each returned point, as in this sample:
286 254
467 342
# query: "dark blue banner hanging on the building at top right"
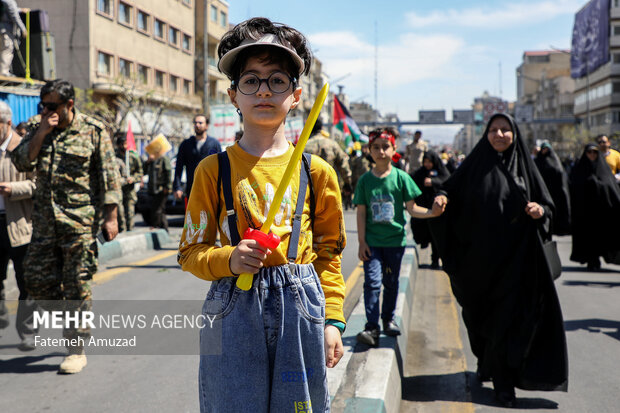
590 45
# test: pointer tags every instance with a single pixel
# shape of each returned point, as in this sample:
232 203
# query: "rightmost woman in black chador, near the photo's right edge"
595 202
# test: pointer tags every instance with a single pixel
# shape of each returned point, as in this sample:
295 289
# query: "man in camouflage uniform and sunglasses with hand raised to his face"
77 187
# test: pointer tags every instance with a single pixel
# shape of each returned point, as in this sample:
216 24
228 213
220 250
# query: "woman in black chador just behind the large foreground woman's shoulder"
556 179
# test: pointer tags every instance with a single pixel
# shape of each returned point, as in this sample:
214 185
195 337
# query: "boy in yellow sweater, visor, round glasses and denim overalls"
266 349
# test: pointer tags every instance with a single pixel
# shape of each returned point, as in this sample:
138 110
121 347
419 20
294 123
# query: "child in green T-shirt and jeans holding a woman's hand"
380 195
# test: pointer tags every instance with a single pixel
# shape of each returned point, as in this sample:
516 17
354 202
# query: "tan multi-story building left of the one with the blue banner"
545 95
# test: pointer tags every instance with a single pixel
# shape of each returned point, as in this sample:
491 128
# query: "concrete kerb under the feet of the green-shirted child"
371 382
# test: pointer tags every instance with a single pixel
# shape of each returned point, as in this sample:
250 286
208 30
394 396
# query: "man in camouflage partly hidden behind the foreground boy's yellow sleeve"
321 145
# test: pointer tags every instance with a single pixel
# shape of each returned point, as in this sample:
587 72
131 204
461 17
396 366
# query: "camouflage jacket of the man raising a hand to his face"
75 175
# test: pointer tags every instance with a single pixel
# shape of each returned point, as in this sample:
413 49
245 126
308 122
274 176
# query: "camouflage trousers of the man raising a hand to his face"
58 271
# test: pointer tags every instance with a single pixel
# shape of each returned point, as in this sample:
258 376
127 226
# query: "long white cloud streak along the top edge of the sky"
495 18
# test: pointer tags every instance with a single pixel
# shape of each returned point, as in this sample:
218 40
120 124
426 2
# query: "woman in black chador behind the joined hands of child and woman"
429 178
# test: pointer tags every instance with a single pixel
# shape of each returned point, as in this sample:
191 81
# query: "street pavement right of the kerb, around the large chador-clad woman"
439 372
